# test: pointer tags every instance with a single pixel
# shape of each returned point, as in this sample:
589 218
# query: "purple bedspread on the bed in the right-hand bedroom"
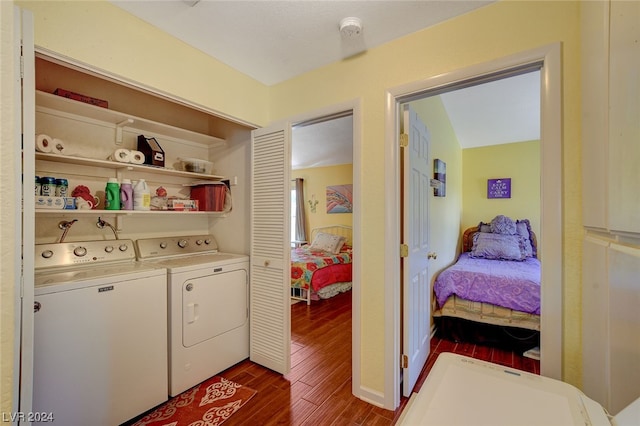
513 285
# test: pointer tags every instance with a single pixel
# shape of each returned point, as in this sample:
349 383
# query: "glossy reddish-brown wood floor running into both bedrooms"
317 391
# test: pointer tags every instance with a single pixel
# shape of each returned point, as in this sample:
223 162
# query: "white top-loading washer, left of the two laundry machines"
100 334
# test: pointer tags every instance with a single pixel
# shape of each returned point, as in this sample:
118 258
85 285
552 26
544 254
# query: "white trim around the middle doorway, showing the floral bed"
355 106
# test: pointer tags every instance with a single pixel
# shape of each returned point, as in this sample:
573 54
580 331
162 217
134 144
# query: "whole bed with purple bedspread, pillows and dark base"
491 290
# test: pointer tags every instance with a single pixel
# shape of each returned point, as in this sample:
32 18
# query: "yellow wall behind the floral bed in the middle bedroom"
316 180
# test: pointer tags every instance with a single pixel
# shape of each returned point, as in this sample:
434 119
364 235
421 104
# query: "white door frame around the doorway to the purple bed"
552 206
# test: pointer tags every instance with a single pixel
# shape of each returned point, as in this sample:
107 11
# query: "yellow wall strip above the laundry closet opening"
108 38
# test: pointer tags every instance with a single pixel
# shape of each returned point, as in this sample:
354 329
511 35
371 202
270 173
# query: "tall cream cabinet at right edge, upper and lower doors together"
611 202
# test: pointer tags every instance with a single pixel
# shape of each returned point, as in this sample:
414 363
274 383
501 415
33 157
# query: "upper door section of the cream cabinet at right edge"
611 115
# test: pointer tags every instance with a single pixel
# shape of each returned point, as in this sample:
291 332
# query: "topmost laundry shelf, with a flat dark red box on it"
58 105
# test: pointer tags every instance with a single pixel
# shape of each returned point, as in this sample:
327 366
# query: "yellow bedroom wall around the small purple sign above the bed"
518 161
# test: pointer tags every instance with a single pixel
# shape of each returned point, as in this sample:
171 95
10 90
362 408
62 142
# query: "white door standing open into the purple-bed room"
416 190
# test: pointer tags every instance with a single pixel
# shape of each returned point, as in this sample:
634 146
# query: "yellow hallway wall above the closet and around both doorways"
126 46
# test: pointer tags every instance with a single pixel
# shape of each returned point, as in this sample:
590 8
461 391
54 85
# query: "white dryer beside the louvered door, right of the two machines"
208 295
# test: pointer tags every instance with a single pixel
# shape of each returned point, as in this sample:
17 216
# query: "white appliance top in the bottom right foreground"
466 391
